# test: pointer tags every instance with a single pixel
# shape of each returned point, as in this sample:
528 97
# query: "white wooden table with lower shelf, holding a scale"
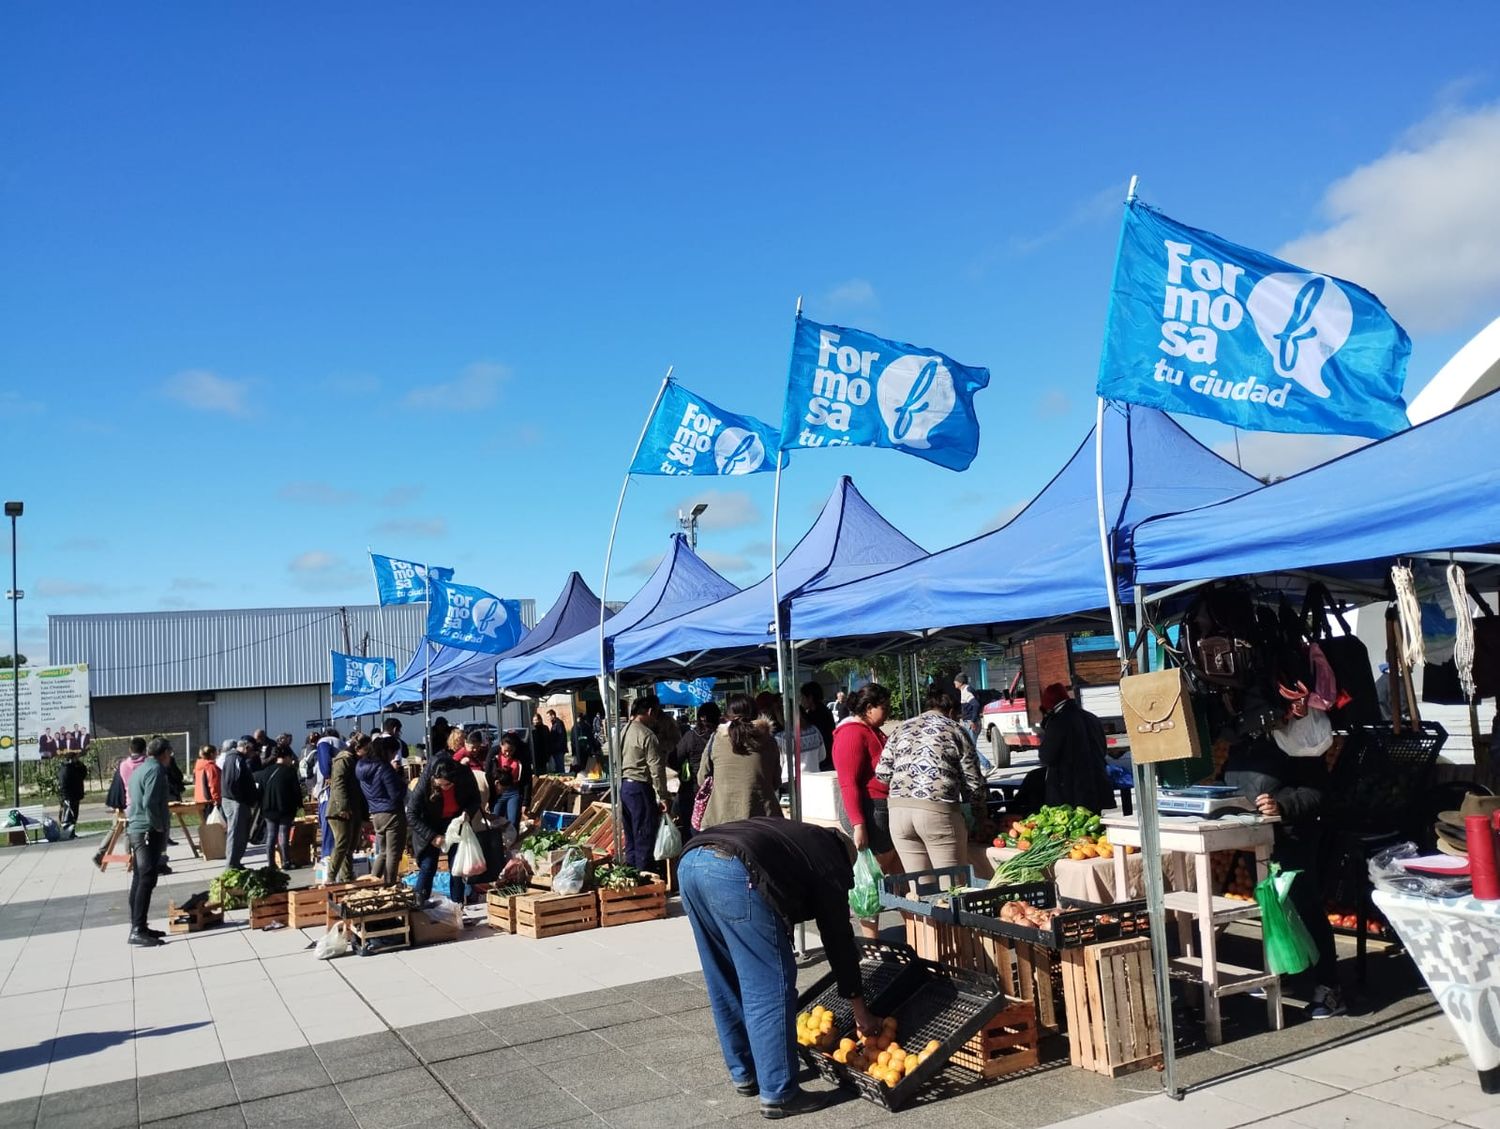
1198 839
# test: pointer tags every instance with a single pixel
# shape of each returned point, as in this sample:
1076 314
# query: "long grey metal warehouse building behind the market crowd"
223 674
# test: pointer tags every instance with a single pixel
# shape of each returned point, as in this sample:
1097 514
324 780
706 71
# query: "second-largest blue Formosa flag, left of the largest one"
850 389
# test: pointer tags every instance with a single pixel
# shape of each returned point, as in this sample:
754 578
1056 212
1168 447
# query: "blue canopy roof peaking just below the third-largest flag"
682 582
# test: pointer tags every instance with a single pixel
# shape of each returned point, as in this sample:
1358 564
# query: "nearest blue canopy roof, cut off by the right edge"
1433 488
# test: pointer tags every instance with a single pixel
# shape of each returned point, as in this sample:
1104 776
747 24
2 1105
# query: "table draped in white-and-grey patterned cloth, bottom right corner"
1456 942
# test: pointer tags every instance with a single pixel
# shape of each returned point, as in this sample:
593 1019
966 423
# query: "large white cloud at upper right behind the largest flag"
1420 226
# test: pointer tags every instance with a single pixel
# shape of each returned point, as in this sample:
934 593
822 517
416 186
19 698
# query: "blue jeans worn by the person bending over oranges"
749 969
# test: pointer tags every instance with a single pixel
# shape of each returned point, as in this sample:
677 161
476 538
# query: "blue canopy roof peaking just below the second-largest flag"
848 541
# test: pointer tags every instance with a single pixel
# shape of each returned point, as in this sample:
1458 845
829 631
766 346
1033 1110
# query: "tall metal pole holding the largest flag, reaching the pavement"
1145 776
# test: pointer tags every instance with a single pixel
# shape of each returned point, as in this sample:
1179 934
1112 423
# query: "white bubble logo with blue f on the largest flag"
1303 320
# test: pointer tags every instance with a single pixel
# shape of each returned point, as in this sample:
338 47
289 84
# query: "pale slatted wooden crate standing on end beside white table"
1112 1007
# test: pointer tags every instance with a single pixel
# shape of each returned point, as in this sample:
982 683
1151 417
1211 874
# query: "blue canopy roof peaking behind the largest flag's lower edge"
1045 563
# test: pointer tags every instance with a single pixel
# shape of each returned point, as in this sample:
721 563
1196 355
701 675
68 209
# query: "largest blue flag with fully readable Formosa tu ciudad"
1207 328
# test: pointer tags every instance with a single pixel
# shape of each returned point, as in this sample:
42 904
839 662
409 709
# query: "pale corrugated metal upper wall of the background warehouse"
160 653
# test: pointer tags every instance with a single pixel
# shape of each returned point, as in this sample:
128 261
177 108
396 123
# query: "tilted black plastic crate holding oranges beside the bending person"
929 1002
